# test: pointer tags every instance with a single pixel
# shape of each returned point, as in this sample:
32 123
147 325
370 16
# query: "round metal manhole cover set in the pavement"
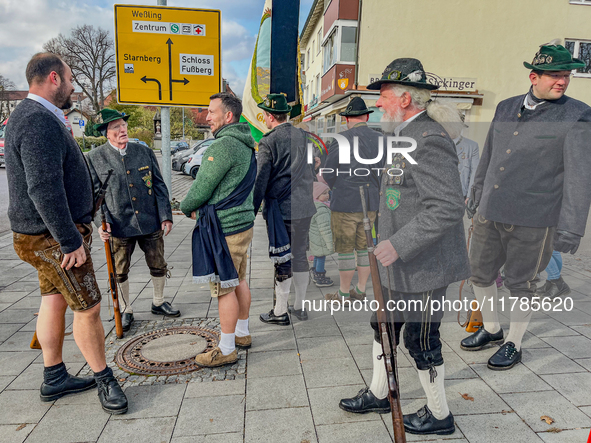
165 352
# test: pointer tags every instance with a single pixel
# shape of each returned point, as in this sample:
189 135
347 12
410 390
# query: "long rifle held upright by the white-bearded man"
387 336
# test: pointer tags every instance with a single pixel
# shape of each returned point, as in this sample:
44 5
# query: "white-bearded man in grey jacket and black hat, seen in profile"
421 242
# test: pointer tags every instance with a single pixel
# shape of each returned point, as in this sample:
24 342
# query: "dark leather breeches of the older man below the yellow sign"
151 244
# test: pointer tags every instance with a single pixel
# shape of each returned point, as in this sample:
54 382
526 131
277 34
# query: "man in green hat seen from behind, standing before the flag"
285 180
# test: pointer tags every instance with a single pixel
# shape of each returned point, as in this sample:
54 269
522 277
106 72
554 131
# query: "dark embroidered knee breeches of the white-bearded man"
421 328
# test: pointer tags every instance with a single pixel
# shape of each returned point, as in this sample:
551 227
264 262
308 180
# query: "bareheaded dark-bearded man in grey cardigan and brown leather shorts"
51 207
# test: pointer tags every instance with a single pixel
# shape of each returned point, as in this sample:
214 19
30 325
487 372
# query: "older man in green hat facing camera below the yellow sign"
137 208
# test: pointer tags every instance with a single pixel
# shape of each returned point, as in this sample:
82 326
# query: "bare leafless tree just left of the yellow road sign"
89 52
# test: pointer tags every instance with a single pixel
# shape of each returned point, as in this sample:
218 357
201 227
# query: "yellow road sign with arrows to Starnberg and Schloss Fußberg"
167 56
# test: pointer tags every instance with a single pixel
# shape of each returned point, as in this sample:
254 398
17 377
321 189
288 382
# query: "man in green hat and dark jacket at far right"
532 190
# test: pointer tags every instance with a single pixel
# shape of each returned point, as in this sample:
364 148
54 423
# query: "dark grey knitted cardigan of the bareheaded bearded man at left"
48 180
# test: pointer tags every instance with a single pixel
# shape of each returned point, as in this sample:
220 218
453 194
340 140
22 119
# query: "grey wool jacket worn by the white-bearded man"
422 216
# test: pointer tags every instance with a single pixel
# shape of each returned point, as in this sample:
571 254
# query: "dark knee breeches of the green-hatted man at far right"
524 251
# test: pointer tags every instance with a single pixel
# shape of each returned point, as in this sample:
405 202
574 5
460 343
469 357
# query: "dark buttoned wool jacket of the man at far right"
535 166
